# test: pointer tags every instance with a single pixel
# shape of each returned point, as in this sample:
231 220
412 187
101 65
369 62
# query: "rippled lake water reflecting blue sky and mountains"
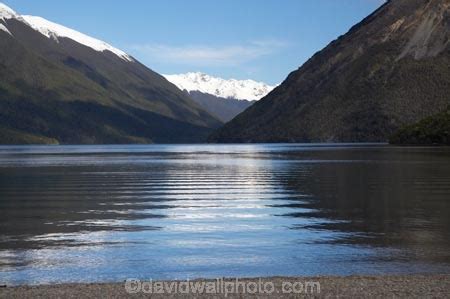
107 213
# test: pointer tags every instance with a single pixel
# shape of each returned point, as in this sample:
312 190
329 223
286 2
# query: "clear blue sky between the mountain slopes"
262 40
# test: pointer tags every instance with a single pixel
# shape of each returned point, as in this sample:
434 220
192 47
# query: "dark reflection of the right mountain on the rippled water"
384 197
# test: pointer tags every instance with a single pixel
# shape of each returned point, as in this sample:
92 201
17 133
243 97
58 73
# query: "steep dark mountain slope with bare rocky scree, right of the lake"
390 70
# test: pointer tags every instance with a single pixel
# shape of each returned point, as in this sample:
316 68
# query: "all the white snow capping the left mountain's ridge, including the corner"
55 31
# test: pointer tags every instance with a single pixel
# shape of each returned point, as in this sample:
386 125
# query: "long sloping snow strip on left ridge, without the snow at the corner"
53 30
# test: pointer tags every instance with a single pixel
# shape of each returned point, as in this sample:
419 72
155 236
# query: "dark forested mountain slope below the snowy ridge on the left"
63 91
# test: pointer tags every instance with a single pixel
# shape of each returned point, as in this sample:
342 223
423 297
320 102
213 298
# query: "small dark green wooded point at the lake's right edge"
431 130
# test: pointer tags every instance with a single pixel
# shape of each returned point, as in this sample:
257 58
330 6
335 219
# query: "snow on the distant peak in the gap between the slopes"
232 88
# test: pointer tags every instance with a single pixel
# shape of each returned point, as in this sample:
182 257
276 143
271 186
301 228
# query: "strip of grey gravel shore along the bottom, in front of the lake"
398 286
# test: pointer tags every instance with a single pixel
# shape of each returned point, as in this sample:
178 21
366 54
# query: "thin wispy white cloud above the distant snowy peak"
203 55
